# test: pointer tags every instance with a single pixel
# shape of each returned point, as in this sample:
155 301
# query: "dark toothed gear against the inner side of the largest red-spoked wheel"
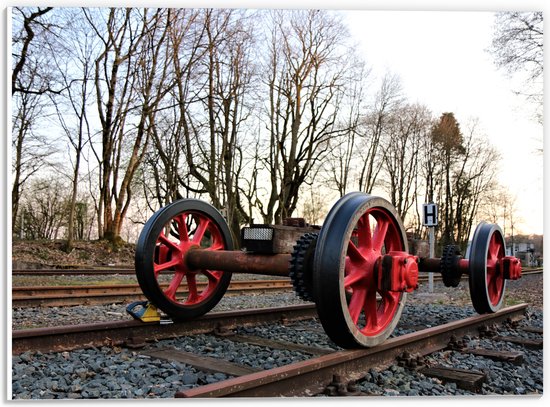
301 262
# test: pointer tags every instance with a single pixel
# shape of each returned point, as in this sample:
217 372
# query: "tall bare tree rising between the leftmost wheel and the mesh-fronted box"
229 71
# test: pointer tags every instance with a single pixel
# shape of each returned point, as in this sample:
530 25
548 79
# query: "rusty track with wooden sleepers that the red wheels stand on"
326 370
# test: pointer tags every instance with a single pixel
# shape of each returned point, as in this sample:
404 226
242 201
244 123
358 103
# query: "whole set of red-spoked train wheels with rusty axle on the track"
356 267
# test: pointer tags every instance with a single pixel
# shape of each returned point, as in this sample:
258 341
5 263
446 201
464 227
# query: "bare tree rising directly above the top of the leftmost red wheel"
166 159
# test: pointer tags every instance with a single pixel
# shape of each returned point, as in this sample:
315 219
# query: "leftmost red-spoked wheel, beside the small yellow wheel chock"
162 273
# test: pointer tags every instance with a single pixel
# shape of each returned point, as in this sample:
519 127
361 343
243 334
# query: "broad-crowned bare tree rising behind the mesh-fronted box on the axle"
304 76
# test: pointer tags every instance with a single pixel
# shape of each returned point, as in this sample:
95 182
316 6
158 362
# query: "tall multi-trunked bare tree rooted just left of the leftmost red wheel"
129 85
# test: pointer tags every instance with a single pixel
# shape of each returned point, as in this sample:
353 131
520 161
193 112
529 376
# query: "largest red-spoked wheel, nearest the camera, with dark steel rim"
359 229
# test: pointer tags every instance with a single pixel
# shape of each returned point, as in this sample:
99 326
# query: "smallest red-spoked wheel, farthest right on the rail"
486 275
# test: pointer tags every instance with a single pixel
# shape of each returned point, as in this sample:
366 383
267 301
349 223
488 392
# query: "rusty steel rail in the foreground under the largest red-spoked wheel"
310 377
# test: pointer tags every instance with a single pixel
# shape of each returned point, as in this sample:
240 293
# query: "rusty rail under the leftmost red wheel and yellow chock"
116 333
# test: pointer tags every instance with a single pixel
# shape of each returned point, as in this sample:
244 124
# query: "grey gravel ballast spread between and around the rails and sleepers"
113 373
